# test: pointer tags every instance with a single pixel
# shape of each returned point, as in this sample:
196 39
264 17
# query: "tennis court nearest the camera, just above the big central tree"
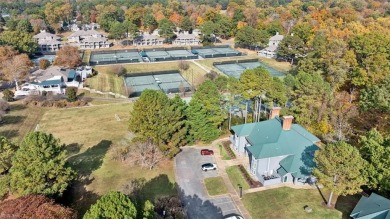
168 82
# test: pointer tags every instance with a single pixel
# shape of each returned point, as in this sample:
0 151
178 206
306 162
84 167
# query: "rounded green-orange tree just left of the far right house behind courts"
249 36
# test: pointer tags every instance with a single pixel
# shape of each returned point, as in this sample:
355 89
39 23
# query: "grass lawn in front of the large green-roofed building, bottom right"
287 203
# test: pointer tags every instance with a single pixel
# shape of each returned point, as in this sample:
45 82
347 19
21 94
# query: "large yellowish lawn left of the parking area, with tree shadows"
91 134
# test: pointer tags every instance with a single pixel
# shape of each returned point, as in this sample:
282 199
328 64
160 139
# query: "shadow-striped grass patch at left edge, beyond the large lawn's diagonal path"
20 120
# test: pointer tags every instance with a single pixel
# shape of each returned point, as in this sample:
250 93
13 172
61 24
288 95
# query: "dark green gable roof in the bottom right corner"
374 206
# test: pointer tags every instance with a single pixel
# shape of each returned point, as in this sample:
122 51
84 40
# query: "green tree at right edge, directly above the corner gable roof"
376 150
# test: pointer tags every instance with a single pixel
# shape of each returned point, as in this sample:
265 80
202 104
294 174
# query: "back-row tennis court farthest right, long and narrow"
214 52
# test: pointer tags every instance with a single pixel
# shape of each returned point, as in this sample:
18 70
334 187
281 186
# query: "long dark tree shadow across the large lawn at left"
84 164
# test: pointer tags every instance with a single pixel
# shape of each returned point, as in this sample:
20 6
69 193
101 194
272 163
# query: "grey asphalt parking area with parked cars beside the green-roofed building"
189 177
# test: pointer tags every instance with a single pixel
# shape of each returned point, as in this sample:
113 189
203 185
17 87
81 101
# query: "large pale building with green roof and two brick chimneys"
278 150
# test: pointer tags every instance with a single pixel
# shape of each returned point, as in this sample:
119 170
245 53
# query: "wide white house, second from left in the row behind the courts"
89 39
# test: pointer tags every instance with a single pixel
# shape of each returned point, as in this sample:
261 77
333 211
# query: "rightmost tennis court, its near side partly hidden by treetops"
236 68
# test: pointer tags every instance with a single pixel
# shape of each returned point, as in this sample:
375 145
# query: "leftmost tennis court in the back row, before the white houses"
114 56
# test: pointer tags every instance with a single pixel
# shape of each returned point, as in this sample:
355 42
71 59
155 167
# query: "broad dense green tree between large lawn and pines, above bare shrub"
159 119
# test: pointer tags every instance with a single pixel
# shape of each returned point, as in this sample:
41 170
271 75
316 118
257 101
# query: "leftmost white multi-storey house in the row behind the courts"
47 42
